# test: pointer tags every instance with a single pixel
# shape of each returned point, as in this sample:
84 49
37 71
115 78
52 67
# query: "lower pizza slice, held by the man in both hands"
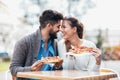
52 59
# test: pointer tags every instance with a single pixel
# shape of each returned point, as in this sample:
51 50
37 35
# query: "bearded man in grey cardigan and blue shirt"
29 51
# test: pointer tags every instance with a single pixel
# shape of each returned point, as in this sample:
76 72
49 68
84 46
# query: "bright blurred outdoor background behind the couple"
100 17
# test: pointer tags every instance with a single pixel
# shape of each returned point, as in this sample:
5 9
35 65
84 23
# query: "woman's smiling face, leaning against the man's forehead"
67 30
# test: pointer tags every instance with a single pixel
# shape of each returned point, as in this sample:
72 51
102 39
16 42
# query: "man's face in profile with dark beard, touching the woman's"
54 30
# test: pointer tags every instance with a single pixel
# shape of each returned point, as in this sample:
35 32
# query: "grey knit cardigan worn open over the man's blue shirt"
25 52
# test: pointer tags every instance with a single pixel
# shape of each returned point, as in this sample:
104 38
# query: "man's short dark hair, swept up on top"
49 16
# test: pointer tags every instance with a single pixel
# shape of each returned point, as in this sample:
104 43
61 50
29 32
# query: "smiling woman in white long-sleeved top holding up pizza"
73 31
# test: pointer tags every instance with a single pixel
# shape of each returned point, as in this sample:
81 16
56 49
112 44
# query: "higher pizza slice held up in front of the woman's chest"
82 49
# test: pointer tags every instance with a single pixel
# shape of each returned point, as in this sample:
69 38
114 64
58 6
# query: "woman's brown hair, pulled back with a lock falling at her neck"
80 29
